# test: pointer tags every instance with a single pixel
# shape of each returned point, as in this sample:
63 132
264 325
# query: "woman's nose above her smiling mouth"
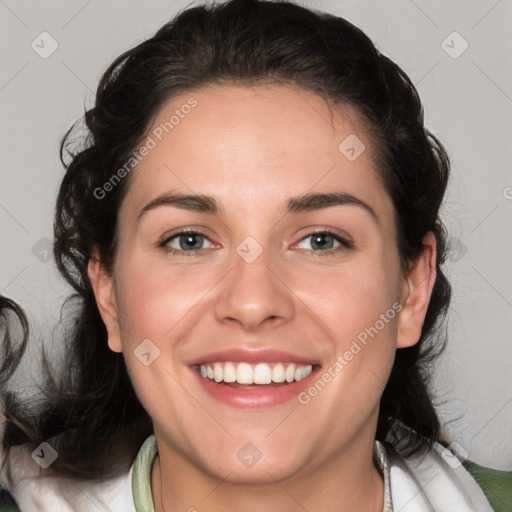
255 296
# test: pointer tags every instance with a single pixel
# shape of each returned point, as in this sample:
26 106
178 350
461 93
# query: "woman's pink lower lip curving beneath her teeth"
255 397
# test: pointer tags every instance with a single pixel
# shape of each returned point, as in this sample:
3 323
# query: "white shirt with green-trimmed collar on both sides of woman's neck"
433 482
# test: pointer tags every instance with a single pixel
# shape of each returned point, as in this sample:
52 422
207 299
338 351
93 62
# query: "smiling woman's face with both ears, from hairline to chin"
279 268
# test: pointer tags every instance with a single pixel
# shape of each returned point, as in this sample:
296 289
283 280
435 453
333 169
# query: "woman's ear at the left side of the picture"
104 292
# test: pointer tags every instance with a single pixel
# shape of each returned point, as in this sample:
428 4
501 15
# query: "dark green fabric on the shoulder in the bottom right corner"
495 484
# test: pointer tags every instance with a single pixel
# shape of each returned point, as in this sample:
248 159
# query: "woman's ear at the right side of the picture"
416 292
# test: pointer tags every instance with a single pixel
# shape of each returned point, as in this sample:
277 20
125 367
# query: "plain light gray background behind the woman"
468 104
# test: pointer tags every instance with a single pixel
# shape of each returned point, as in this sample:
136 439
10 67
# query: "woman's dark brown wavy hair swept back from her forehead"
89 409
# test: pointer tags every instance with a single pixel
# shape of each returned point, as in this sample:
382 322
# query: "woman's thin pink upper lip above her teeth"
265 355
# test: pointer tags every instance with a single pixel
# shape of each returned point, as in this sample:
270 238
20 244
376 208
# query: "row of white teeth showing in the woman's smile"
261 373
